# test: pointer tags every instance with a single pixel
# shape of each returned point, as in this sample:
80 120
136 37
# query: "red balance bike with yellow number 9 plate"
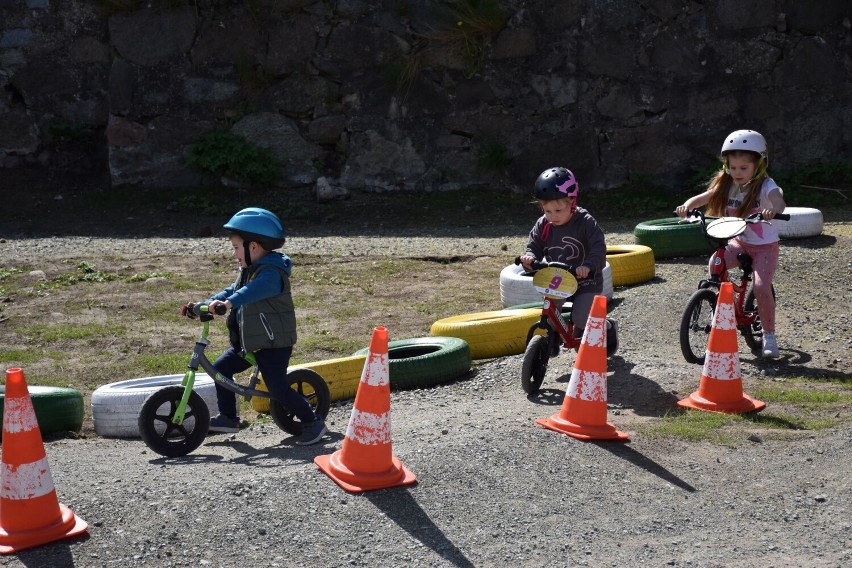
557 282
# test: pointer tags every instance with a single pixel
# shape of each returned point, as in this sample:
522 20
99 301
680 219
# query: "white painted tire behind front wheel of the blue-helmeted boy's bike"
116 406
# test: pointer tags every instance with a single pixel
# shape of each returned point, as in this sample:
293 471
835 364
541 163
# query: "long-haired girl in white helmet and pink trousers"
742 187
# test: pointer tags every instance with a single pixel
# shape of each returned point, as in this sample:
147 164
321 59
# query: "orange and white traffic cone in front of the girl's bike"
721 388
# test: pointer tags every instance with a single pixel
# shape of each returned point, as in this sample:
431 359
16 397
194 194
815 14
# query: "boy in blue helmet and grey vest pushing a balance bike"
262 320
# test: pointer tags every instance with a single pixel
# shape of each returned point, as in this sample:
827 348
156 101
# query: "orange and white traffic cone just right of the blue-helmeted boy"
366 460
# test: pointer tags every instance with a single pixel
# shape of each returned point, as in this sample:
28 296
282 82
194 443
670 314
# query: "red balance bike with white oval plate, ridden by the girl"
697 318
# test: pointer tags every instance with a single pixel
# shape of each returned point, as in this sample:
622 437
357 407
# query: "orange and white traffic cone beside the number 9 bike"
583 413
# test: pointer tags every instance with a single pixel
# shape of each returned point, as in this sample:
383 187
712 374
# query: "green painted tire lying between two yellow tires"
425 361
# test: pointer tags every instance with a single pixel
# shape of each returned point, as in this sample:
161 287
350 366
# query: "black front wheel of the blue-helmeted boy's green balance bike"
169 439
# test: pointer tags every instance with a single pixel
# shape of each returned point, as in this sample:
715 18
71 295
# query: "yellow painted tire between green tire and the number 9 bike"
490 334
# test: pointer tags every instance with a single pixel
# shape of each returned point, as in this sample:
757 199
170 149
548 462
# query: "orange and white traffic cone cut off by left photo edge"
30 512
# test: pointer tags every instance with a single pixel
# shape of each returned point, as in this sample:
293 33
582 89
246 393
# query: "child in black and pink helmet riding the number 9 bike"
569 234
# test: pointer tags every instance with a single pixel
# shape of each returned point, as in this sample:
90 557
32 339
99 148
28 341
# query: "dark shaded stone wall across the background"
423 94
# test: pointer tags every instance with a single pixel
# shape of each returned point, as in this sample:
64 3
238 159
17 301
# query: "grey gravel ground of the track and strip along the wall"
493 488
